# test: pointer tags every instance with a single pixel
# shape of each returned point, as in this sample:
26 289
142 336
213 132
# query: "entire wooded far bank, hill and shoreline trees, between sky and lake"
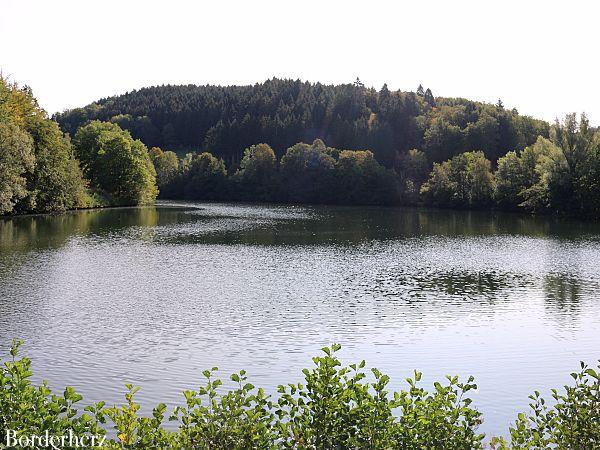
292 141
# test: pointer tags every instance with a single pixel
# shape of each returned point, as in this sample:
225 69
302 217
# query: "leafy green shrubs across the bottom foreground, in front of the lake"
336 407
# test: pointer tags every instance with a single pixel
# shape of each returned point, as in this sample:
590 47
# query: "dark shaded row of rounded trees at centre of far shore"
308 173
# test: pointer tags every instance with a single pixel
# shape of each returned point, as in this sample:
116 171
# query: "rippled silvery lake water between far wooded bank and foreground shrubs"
152 296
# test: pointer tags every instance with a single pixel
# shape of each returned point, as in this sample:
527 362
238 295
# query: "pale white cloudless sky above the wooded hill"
540 57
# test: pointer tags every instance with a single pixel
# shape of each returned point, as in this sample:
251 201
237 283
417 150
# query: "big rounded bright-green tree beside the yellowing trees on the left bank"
116 165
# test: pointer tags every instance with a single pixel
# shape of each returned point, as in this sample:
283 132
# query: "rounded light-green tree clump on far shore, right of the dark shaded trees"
464 181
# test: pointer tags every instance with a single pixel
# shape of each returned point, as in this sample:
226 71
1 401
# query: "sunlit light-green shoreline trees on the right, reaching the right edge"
556 175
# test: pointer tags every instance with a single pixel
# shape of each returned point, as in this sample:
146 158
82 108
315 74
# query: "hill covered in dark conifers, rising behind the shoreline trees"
226 120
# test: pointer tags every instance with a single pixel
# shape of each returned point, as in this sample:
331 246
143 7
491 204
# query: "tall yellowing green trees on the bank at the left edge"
38 172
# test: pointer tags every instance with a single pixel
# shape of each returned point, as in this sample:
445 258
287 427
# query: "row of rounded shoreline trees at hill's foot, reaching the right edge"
556 174
